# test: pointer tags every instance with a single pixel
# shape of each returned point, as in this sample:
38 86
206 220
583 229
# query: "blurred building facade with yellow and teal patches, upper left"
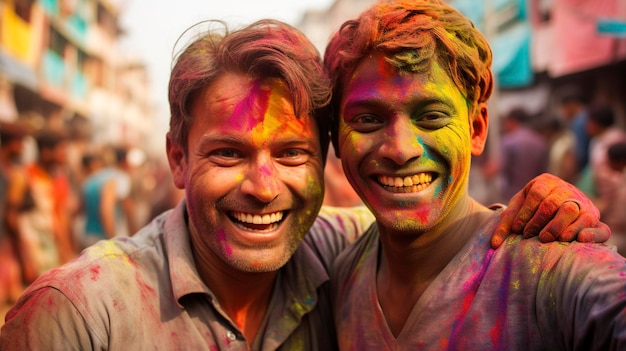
60 67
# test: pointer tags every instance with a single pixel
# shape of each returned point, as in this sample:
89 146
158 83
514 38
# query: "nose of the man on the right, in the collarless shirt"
402 143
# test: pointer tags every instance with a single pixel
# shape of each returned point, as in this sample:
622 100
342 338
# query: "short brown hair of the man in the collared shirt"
264 49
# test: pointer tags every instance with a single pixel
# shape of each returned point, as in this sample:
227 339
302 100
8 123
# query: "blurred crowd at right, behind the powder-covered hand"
582 142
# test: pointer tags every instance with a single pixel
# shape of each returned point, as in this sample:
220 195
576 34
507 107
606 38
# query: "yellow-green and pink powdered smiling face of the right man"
405 141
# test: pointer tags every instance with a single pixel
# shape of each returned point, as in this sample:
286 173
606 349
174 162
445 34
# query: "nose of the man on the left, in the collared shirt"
262 180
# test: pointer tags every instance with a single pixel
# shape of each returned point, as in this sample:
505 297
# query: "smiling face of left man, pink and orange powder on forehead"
253 174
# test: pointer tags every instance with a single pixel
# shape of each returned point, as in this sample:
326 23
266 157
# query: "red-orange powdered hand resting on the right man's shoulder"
554 210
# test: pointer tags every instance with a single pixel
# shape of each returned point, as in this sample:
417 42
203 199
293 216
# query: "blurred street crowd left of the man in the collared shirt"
56 201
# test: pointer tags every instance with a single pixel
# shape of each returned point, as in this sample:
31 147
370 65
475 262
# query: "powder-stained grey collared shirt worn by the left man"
144 293
